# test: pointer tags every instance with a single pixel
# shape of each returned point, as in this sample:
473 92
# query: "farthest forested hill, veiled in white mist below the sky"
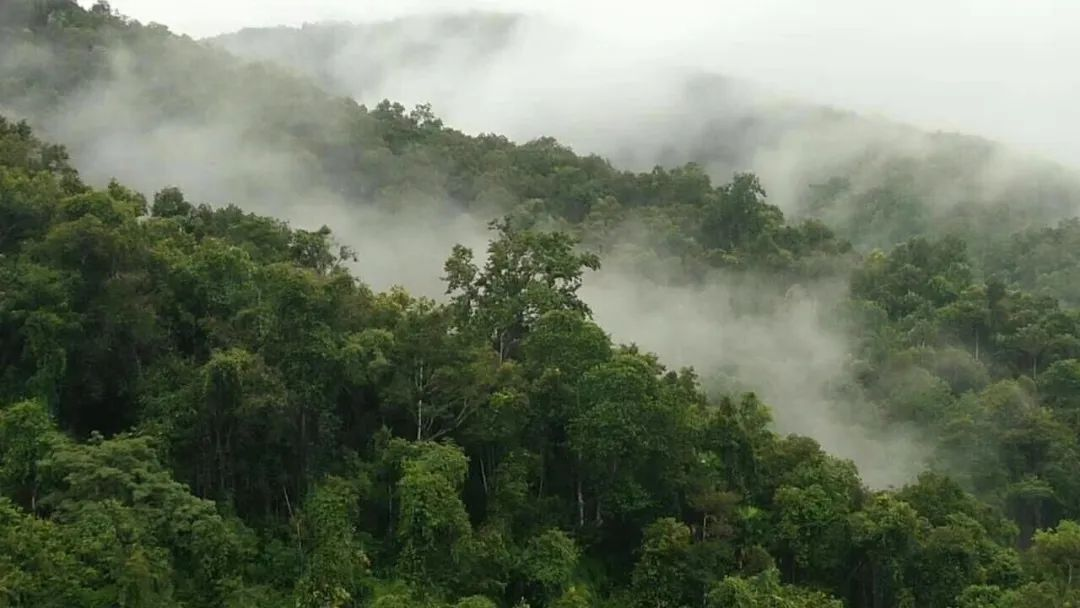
875 182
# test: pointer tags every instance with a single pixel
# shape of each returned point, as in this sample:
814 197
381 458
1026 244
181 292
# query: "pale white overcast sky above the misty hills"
1007 70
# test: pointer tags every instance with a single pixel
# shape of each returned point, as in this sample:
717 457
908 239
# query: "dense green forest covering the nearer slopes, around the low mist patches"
202 407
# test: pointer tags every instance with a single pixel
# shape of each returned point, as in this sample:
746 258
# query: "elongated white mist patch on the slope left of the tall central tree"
219 156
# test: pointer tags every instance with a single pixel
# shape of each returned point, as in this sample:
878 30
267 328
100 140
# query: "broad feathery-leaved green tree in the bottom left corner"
132 535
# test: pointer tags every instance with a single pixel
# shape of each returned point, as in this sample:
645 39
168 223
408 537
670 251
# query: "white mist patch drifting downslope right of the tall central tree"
789 357
